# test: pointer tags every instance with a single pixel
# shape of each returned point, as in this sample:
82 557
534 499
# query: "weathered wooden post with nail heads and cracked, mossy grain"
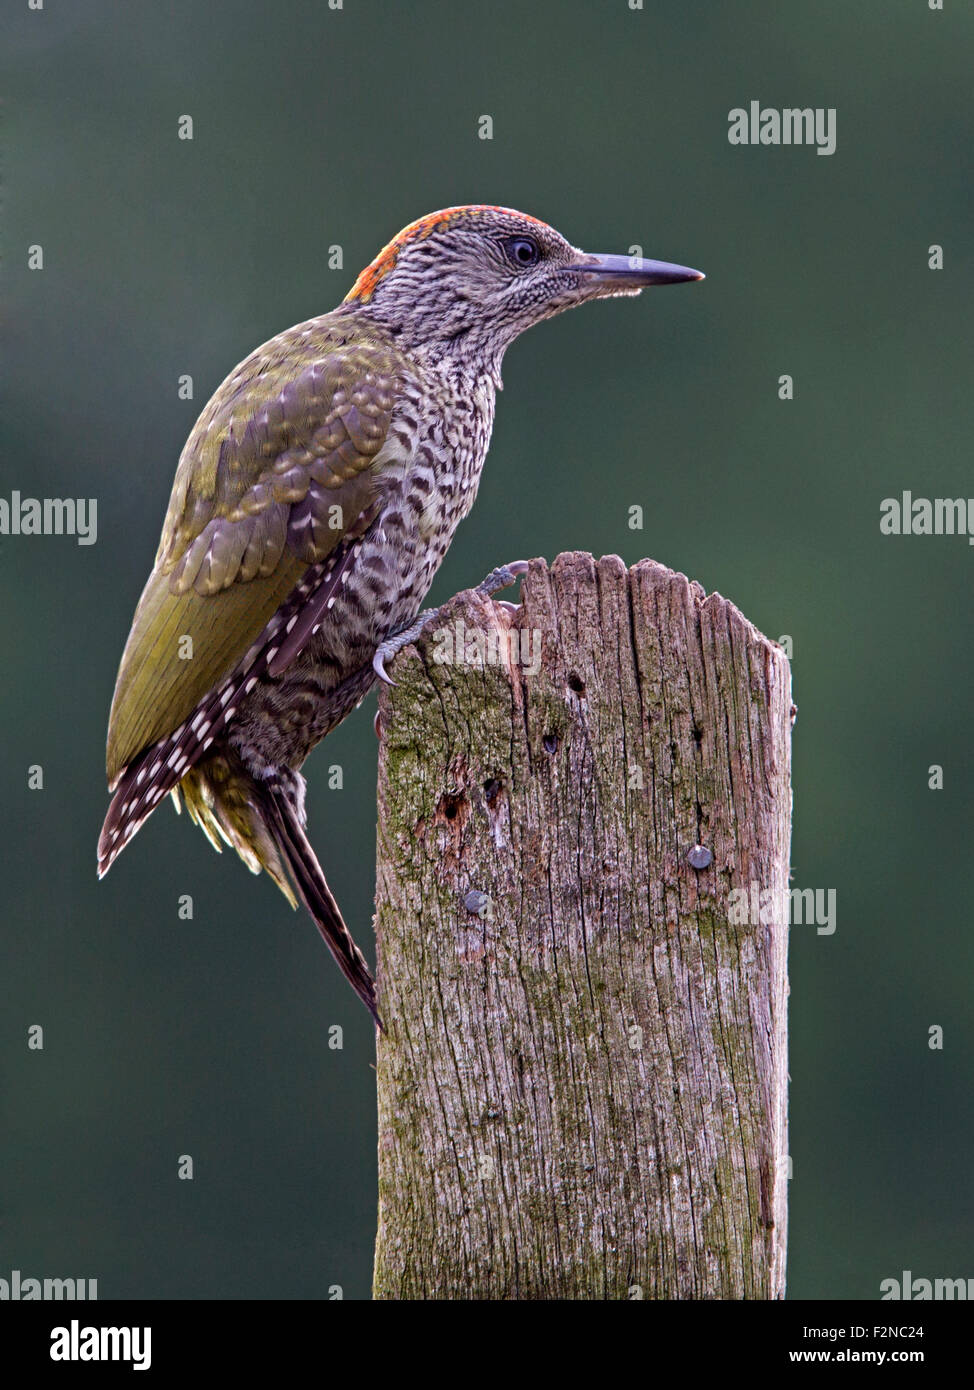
583 1086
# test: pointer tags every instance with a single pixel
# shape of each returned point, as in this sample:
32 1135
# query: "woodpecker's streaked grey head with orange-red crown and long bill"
466 281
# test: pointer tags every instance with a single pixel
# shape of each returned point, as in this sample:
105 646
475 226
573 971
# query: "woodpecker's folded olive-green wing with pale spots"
279 448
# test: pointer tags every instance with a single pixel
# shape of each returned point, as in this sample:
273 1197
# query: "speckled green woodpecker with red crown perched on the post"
313 504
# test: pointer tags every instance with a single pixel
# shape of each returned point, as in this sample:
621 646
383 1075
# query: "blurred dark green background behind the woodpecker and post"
313 127
